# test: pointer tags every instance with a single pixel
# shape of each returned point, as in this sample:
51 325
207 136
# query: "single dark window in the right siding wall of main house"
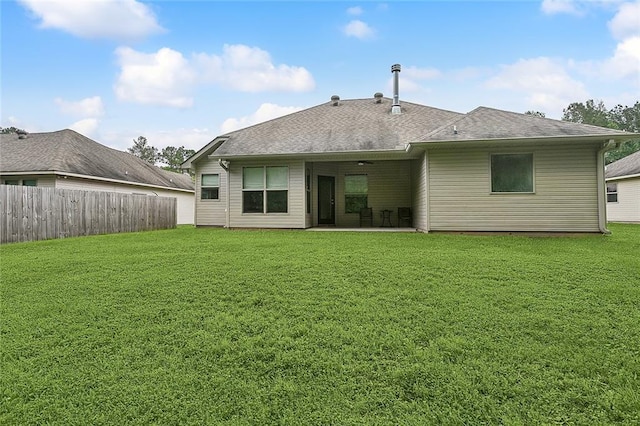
512 173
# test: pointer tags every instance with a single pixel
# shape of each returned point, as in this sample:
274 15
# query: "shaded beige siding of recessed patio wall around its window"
389 187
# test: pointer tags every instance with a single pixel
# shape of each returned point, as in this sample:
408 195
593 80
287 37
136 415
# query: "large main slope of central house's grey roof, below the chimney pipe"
353 125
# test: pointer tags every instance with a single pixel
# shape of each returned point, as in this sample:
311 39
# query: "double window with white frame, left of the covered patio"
265 189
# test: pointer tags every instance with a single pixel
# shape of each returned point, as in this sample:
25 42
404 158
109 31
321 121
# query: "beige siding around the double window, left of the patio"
296 214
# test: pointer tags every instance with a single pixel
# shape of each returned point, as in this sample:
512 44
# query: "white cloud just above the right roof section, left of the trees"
543 83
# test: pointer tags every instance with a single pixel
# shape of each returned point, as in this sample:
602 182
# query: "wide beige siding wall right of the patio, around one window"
565 198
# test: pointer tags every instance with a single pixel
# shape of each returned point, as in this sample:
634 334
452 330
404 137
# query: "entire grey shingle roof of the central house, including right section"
363 125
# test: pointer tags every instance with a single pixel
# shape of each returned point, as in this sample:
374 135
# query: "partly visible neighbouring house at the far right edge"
623 189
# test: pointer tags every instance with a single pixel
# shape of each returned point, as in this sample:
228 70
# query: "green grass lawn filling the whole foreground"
210 326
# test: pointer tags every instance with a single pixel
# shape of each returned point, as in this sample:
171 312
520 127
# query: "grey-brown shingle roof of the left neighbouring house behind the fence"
66 151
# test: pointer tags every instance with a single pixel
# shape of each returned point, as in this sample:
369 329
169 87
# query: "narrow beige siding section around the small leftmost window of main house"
211 212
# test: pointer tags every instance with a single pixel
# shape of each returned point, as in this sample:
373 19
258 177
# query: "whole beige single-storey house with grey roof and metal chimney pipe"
487 170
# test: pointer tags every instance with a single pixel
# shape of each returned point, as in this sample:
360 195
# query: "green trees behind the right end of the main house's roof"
619 118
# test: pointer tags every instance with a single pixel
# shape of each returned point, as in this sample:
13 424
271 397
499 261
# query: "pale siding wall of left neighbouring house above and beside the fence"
184 200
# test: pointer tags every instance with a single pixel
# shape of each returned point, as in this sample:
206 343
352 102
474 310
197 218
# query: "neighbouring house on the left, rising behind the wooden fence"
68 160
